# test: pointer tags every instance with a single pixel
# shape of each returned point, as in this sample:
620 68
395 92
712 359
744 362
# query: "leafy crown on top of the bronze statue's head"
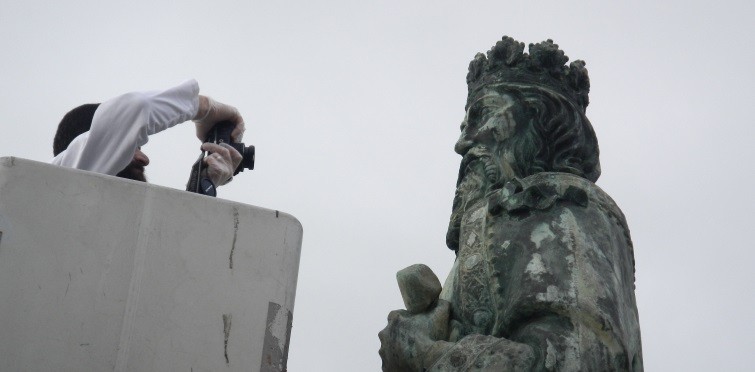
544 66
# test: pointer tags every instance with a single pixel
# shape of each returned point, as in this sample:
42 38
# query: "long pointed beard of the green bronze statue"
479 173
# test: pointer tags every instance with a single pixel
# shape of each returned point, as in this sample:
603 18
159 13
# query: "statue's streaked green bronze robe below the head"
544 281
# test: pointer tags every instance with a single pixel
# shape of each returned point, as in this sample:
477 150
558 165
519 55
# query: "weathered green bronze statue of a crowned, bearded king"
544 272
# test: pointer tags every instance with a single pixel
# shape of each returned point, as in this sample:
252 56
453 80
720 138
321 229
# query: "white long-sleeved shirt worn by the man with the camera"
123 124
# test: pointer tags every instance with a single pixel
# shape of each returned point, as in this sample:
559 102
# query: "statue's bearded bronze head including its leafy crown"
525 114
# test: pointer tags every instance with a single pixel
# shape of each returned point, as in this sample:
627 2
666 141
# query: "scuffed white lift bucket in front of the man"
98 273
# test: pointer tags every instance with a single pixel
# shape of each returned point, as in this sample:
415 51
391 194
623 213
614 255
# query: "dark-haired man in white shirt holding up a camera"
107 137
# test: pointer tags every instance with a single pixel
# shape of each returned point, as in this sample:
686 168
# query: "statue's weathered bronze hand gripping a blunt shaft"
405 341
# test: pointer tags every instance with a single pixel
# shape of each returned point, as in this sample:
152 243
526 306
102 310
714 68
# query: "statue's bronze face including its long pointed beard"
486 161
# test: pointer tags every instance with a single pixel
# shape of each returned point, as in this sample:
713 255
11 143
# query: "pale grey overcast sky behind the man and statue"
354 108
